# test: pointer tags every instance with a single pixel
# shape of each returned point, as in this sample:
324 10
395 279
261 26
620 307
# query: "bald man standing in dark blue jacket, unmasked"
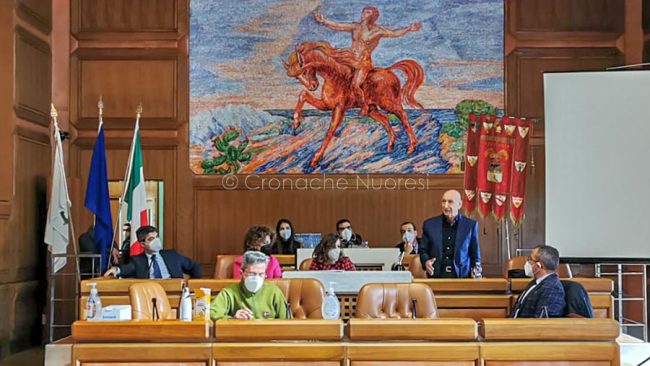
449 247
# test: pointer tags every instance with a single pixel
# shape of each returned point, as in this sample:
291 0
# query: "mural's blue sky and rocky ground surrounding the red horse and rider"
238 83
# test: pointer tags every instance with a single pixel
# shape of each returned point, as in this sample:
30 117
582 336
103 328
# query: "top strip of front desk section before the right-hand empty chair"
413 329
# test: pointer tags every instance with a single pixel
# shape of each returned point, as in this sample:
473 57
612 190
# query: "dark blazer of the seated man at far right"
547 294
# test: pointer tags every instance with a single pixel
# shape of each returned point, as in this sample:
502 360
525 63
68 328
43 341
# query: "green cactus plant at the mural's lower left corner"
231 154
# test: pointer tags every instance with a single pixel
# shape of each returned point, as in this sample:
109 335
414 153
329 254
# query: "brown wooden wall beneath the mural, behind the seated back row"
222 217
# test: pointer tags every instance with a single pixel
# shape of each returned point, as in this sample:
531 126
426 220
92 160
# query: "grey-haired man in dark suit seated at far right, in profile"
544 296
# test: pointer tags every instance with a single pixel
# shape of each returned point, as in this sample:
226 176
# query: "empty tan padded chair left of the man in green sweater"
141 295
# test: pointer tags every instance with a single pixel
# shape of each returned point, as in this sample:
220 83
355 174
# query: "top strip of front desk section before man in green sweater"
263 330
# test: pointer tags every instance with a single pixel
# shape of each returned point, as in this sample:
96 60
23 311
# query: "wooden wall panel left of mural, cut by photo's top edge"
126 15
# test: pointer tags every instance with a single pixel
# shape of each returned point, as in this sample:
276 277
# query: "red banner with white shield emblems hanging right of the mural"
495 166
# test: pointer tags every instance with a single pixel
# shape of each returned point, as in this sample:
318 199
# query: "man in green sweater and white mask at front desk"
251 298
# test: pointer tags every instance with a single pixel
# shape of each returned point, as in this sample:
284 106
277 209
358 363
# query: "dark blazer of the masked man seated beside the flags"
176 263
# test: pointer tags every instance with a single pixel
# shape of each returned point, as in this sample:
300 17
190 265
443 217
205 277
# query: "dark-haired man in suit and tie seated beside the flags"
155 262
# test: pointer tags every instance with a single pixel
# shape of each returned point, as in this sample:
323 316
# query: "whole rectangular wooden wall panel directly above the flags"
126 83
